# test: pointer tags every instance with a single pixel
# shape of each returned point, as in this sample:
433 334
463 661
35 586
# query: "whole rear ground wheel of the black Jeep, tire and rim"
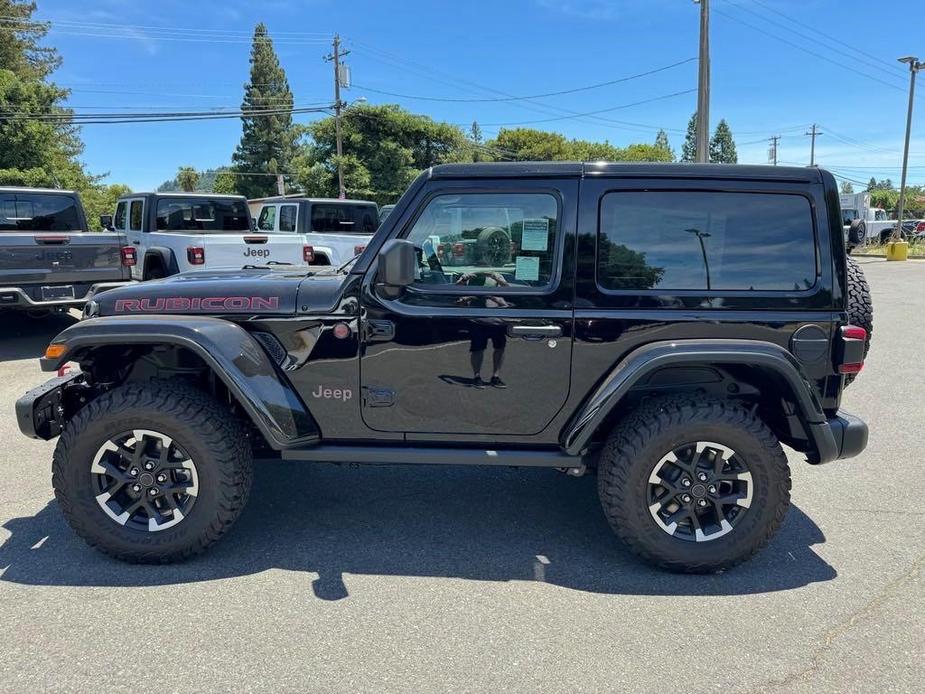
693 484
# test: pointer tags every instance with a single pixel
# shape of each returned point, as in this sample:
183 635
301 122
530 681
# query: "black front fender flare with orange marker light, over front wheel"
230 351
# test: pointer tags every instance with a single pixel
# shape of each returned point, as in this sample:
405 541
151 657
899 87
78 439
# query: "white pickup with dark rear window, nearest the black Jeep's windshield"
336 229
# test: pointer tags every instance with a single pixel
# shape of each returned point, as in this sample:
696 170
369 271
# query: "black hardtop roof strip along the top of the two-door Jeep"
566 169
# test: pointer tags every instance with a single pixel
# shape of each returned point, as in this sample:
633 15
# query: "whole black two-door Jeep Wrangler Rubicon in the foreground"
669 326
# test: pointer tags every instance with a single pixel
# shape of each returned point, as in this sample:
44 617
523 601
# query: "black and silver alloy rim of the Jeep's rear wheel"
699 492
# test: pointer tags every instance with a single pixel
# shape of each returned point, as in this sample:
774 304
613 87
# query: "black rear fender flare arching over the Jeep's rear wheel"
638 364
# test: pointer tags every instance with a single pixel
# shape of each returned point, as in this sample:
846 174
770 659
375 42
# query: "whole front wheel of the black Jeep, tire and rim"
152 473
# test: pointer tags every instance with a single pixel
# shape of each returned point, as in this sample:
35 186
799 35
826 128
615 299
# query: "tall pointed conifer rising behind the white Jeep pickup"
264 138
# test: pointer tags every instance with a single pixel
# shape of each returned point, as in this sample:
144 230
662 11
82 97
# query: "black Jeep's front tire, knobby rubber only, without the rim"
202 426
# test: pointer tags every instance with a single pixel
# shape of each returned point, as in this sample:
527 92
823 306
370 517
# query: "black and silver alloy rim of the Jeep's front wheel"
143 480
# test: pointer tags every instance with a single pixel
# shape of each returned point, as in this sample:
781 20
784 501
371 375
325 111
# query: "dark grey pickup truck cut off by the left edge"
48 258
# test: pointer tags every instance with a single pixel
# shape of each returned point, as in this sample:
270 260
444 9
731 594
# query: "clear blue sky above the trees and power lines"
776 69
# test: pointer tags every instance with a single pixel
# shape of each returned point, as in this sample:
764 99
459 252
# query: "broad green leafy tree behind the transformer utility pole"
387 148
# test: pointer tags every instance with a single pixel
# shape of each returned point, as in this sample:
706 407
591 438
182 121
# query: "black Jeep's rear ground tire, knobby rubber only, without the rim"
637 444
